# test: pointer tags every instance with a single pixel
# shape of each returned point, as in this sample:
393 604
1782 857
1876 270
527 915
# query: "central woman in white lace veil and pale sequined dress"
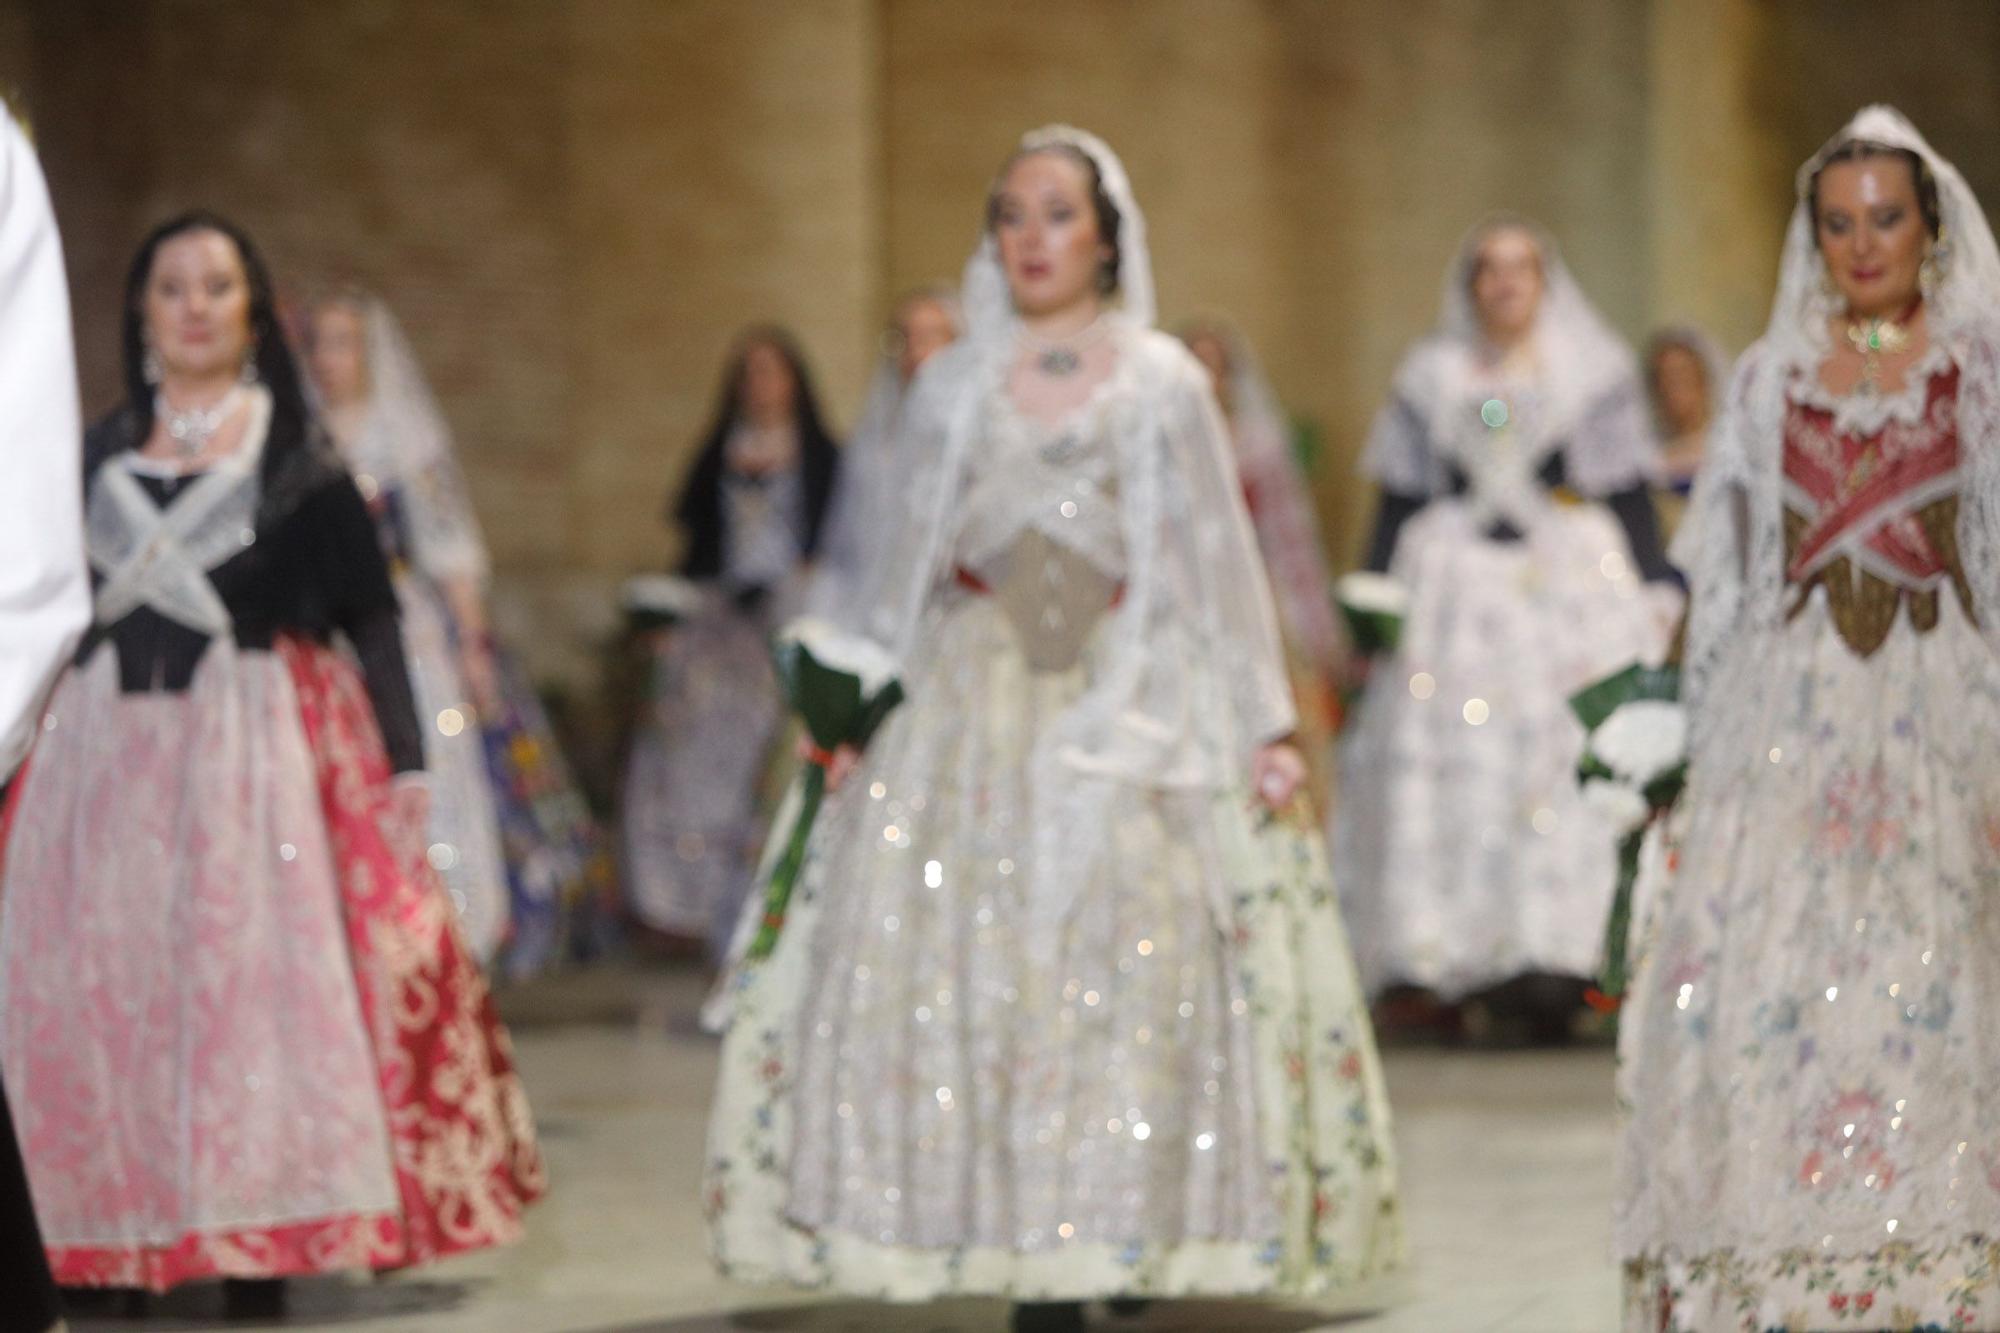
1063 1004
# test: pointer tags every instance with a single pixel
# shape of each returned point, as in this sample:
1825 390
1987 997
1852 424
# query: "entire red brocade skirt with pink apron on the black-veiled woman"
241 1034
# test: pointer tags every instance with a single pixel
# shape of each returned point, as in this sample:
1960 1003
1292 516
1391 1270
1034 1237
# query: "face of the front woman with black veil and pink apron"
197 307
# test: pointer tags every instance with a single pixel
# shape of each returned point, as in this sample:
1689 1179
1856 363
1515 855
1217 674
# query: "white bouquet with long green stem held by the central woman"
841 688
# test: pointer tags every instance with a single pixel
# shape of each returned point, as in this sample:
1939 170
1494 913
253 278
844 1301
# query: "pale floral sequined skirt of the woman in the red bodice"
1811 1056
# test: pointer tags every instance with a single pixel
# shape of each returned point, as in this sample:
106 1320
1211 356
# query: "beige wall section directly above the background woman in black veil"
725 169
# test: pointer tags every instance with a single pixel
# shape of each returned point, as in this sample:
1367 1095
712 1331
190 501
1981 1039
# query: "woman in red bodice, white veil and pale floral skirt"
1811 1052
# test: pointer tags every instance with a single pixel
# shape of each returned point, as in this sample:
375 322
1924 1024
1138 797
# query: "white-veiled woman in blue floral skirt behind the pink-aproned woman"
509 830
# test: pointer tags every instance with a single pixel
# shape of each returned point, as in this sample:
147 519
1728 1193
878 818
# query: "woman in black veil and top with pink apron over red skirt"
243 1034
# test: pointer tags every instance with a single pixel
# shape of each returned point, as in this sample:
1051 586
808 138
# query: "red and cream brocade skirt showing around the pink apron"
461 1138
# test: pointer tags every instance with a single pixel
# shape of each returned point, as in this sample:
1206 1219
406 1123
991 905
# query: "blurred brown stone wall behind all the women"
575 205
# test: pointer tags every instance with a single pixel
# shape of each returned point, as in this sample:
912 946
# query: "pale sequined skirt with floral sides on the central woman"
1181 1096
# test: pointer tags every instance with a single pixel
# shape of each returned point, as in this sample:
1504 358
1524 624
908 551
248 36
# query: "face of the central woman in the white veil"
1049 235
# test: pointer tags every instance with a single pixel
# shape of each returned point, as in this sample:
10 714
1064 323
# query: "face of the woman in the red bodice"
1873 235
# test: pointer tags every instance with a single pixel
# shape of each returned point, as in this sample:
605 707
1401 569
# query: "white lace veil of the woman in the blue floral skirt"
407 445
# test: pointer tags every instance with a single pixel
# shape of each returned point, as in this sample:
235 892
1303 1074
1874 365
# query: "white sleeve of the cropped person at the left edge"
45 595
